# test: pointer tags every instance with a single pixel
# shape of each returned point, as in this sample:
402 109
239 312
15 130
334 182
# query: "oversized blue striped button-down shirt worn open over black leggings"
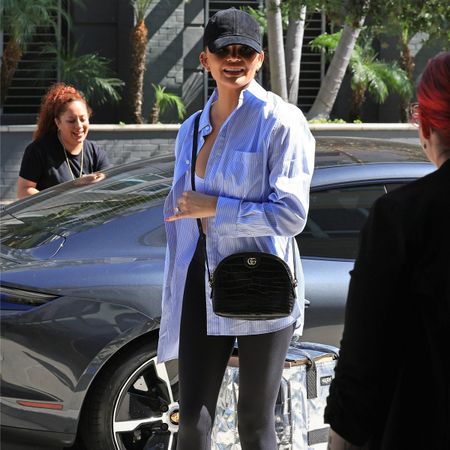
260 168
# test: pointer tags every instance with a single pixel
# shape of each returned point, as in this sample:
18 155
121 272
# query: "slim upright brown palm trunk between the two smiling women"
138 43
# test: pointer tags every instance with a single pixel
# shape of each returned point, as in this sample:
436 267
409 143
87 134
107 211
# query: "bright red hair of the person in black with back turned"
433 95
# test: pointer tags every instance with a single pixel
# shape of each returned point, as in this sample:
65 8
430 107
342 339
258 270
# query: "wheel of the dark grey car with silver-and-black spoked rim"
133 405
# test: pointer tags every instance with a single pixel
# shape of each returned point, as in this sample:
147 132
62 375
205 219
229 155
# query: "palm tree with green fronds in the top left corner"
19 20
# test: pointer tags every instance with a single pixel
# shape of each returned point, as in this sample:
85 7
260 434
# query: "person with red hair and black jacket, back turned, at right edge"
391 385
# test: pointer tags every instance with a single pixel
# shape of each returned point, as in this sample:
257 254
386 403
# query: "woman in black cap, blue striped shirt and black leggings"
252 177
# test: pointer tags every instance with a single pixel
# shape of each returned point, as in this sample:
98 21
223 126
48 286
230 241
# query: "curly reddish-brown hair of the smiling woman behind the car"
54 103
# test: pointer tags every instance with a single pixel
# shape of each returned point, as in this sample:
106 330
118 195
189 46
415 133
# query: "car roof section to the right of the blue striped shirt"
338 151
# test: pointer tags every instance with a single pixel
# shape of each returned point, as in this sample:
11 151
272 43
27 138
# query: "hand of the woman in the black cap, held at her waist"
195 205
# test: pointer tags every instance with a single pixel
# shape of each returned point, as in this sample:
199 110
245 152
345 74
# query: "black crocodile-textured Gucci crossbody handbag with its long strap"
248 285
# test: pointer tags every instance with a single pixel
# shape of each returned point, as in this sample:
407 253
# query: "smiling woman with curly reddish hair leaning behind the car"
60 151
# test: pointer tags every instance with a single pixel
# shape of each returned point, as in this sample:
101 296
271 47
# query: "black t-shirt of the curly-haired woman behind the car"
44 162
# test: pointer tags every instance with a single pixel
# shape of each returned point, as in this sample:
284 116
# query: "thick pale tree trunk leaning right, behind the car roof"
329 88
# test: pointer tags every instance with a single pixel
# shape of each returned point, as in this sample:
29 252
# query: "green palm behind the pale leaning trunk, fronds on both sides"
369 75
